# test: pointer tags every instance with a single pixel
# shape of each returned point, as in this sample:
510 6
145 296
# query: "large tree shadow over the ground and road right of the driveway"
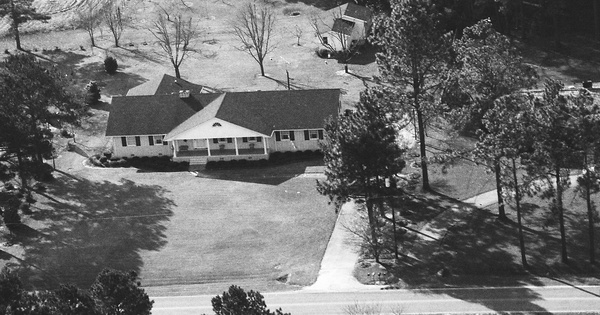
481 251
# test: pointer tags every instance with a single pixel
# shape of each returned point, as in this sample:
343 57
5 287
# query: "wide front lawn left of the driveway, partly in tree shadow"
175 228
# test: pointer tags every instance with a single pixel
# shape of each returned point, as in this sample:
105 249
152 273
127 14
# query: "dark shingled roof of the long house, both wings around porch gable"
261 111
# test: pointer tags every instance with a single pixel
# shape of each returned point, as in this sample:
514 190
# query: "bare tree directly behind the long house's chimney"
173 35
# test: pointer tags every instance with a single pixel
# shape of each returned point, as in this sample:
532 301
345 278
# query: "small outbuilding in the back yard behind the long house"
344 26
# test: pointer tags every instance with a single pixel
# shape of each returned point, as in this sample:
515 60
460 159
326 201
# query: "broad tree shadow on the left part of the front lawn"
89 226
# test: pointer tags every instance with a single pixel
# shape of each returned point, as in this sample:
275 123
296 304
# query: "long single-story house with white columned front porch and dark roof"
201 127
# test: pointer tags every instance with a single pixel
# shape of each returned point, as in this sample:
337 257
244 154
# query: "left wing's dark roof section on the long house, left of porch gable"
152 114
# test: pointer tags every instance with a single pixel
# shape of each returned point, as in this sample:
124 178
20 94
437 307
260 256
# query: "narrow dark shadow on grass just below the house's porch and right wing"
266 175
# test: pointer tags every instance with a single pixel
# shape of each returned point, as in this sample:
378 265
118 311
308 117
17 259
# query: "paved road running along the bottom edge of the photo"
529 299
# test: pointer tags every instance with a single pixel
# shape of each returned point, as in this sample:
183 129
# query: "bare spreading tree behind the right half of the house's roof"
254 26
